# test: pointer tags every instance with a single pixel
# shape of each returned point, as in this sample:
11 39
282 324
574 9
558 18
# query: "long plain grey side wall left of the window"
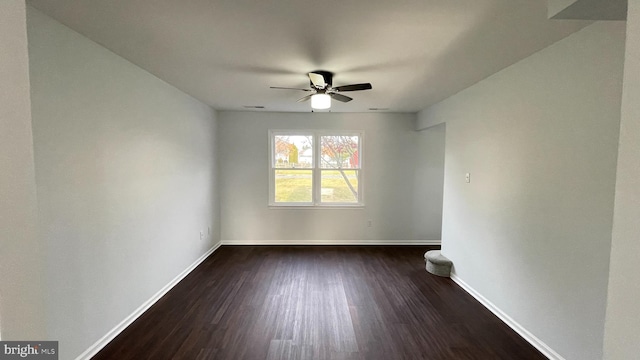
126 180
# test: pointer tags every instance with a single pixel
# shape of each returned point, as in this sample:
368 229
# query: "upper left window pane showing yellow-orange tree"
293 151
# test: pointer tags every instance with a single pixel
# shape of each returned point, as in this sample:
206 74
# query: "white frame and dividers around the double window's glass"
316 169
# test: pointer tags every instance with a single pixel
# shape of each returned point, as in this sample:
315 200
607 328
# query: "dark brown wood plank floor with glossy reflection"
317 302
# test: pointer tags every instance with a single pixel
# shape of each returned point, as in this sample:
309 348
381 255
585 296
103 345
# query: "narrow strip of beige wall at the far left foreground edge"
21 315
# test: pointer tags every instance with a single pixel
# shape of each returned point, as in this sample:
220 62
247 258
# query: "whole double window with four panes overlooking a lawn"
315 168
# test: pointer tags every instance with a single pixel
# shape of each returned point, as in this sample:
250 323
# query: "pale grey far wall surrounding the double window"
389 160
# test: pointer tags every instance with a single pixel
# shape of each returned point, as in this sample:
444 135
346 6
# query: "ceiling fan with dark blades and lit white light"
321 84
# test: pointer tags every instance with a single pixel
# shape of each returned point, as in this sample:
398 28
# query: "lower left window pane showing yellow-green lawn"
294 186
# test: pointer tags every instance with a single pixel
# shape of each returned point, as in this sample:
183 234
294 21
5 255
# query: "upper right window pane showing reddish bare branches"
339 152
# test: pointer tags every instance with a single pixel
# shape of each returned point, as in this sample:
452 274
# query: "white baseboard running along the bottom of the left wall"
102 342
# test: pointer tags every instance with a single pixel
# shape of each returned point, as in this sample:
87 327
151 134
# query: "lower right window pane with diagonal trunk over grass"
339 186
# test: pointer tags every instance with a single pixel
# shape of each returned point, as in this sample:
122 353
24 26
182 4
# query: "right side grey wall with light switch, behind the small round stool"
531 233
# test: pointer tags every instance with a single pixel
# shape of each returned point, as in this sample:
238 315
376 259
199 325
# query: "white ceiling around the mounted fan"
228 52
